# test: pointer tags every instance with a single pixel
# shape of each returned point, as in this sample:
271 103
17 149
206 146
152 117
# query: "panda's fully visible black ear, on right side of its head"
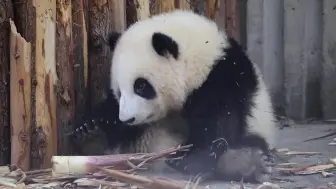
164 44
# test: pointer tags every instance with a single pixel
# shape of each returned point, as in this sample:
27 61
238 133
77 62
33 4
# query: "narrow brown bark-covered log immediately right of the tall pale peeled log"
65 68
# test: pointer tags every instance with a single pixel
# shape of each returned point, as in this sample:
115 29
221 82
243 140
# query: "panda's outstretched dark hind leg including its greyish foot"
250 162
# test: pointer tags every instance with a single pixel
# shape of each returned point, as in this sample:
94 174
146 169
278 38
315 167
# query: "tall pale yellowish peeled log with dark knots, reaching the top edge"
45 138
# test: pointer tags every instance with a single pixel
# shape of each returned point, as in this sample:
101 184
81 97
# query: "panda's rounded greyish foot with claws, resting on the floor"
249 164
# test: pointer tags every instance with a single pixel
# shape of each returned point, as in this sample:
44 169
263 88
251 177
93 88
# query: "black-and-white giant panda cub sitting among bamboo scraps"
181 63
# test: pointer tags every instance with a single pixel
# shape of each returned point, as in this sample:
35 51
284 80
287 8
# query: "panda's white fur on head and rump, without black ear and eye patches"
136 58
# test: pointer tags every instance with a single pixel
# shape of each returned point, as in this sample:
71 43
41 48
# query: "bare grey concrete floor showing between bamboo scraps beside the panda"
292 138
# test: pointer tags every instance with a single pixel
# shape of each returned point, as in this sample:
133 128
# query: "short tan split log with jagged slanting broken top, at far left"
20 89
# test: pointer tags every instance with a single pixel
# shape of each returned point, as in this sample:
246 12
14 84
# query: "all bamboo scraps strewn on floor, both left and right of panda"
124 171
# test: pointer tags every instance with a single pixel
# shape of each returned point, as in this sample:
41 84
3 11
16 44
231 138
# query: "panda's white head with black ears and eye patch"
157 62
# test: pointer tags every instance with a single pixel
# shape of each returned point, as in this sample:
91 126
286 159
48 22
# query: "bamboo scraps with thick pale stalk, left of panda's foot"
114 171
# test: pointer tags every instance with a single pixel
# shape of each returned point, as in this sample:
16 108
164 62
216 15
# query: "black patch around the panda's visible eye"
144 89
